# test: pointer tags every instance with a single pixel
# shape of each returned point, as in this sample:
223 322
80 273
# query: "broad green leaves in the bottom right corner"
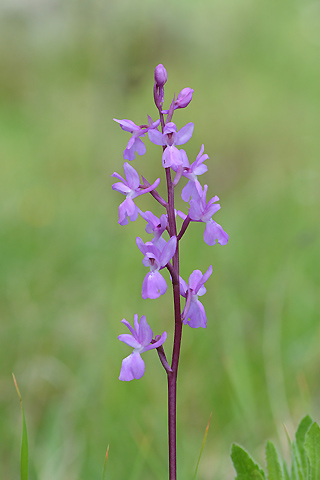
305 457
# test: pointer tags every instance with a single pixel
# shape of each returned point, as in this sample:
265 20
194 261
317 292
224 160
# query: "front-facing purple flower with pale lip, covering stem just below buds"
170 138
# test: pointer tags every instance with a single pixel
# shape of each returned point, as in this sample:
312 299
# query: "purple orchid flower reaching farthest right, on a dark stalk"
201 211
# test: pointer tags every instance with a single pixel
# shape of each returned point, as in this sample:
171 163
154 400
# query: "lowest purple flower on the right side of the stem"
195 315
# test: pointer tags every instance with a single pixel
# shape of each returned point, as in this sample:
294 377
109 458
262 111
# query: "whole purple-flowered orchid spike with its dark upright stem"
161 253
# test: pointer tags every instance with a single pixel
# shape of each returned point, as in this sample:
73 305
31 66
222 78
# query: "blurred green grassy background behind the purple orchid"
69 273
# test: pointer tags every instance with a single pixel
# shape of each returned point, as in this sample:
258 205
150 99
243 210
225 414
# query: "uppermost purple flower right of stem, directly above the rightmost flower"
193 188
